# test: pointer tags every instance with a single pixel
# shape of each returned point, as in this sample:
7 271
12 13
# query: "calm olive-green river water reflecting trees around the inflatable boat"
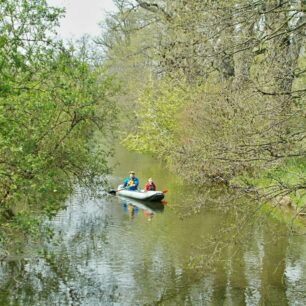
113 252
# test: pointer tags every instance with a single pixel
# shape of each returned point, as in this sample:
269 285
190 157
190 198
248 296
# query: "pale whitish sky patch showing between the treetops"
82 16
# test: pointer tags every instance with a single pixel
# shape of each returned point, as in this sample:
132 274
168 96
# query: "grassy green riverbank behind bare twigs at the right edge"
281 189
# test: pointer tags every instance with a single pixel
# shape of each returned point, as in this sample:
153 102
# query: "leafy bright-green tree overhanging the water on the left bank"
53 103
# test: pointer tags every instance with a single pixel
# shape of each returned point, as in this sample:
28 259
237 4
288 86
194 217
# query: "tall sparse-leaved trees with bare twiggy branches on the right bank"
243 62
